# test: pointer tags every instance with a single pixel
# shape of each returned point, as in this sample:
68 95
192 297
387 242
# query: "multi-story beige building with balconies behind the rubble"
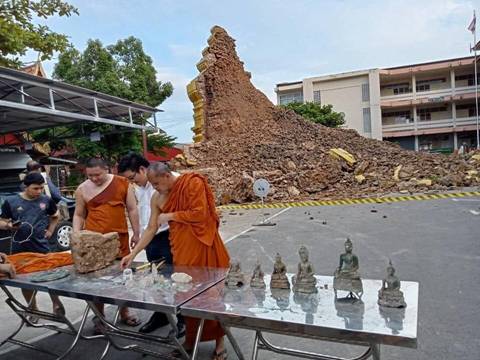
428 106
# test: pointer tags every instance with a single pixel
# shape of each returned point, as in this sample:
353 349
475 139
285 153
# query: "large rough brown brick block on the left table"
93 251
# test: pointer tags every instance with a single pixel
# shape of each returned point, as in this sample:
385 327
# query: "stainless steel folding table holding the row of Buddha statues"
319 316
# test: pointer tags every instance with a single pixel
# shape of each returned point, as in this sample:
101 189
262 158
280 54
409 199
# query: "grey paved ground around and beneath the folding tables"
433 242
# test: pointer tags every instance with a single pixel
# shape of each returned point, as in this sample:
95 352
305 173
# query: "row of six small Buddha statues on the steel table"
346 278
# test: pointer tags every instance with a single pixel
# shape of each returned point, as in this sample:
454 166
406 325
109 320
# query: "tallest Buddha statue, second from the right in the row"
347 276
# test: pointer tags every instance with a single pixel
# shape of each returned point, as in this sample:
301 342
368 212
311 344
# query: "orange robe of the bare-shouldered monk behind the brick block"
106 212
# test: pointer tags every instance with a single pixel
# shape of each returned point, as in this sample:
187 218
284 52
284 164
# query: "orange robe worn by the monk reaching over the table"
194 237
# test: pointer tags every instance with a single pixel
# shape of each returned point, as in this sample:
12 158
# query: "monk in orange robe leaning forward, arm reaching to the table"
186 202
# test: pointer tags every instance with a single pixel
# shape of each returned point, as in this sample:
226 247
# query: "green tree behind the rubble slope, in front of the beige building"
318 114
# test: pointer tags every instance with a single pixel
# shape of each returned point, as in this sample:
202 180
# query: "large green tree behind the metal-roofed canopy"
122 70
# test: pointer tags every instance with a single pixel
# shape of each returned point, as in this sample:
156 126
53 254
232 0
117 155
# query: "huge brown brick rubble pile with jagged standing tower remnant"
241 136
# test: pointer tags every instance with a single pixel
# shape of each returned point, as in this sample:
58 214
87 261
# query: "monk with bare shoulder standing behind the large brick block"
101 201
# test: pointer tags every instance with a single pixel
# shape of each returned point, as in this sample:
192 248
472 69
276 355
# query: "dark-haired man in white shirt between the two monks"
134 168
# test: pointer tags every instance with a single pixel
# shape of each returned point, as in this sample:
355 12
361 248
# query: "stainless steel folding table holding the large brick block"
106 286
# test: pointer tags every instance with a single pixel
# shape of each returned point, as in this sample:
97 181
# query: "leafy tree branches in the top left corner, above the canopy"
18 33
